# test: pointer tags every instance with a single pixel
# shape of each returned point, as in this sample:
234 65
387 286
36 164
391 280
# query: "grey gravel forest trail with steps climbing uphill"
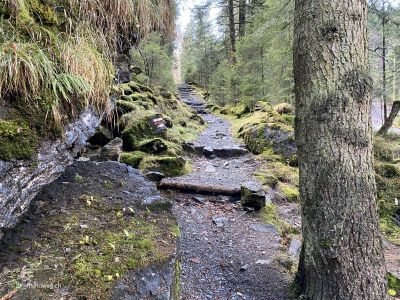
226 253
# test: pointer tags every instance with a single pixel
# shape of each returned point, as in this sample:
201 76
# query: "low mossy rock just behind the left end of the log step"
168 165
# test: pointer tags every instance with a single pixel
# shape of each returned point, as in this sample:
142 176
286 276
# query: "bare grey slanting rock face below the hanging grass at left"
20 181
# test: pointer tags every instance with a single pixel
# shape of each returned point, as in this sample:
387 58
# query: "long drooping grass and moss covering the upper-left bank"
56 57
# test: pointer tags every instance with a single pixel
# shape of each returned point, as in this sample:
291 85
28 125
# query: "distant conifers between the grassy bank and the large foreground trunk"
249 58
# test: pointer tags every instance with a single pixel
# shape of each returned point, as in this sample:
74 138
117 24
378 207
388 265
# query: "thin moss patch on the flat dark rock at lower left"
93 245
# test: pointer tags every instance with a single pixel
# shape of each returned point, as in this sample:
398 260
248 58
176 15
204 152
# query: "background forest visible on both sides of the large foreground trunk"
250 56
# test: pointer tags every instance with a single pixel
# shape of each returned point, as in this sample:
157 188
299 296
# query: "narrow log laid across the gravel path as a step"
209 189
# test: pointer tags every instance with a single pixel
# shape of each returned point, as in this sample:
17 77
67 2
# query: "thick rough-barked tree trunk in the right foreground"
342 255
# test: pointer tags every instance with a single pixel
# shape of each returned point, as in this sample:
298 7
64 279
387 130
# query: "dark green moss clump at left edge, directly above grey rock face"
17 140
